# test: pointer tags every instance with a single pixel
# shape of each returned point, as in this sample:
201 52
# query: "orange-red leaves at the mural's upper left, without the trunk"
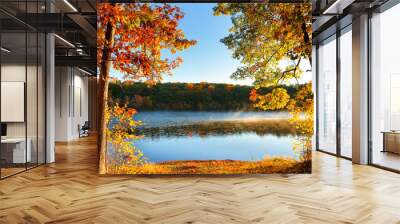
142 32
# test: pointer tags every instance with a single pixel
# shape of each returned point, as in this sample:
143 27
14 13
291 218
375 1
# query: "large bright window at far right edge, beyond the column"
385 84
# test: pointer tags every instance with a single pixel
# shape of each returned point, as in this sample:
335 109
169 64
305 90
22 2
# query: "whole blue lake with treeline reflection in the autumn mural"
246 136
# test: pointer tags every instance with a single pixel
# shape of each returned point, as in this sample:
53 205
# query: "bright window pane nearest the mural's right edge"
327 96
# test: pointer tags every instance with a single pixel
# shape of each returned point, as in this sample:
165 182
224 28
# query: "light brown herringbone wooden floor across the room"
70 191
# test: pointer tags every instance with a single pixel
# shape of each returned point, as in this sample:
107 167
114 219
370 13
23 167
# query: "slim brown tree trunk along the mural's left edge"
105 66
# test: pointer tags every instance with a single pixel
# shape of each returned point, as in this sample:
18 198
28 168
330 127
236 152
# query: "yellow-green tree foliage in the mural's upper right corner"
271 40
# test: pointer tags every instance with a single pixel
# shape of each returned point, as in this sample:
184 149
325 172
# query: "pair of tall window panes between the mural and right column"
334 94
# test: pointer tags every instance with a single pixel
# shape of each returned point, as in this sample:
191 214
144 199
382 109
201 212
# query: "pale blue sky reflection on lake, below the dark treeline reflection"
247 147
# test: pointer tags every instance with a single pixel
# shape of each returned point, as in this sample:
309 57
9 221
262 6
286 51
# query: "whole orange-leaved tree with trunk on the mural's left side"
131 39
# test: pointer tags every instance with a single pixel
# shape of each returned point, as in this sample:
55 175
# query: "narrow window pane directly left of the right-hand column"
346 94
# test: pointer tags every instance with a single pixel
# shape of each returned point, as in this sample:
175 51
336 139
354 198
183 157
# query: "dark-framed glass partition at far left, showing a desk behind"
22 77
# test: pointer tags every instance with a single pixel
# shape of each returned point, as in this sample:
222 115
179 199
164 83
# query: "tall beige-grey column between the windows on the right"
360 90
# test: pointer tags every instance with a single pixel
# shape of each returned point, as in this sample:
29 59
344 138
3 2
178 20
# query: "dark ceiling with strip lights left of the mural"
73 22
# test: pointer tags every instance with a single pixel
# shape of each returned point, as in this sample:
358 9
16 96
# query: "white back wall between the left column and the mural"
71 102
